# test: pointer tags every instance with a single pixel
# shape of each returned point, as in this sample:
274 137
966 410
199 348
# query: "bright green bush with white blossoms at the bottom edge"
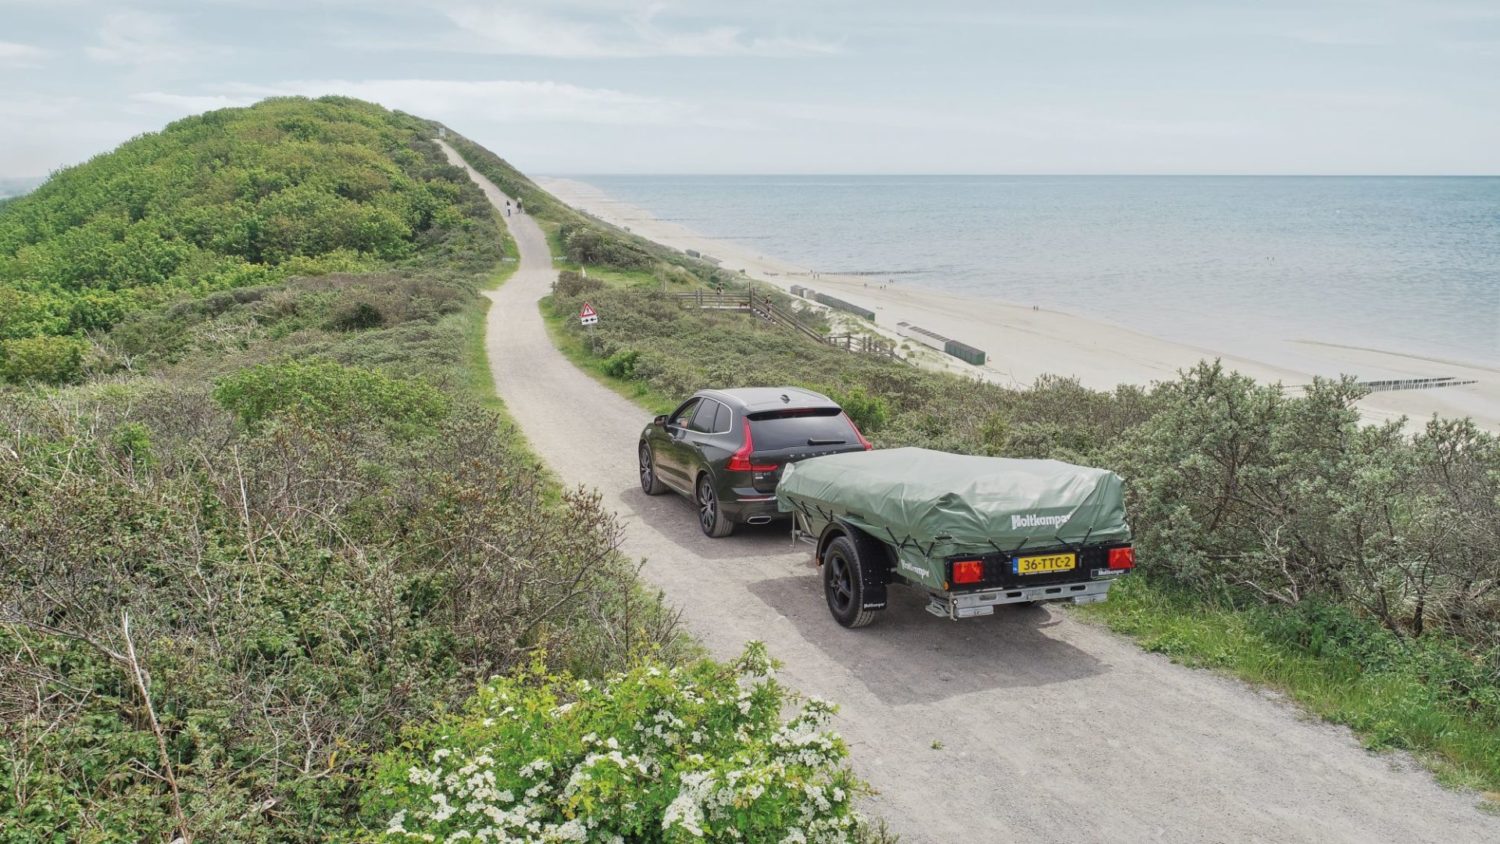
698 753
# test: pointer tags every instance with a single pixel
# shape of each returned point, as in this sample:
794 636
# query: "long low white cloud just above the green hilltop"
503 101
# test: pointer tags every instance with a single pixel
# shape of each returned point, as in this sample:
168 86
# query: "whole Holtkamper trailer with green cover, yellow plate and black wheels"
968 533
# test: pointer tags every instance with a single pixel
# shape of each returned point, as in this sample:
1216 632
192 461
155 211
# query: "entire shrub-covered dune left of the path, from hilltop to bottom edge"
265 530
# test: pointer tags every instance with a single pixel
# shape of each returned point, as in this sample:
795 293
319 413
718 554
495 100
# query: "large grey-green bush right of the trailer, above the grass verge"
1235 485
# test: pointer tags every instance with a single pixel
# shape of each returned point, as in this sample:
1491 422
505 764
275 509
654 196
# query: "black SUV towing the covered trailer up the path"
725 449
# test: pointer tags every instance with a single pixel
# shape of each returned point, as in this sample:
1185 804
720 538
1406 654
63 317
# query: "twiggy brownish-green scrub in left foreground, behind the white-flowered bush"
298 593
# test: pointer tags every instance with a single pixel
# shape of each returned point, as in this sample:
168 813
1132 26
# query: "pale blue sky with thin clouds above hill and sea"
796 86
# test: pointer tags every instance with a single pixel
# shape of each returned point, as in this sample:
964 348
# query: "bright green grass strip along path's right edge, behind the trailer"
1390 710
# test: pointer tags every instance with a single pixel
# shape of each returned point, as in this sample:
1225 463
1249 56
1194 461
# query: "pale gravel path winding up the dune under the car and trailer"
1049 729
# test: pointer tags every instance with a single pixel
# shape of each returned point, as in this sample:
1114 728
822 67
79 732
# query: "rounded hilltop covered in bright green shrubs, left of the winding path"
223 200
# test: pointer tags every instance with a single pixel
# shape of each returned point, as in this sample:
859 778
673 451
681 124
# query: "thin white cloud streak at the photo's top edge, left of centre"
640 31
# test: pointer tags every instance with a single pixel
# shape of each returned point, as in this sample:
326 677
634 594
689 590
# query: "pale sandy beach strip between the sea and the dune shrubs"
1025 343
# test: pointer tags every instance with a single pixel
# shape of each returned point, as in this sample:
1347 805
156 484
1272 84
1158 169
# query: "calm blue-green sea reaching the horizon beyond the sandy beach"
1249 266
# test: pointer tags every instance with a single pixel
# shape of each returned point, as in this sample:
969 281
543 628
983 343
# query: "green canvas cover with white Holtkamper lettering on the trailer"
944 504
